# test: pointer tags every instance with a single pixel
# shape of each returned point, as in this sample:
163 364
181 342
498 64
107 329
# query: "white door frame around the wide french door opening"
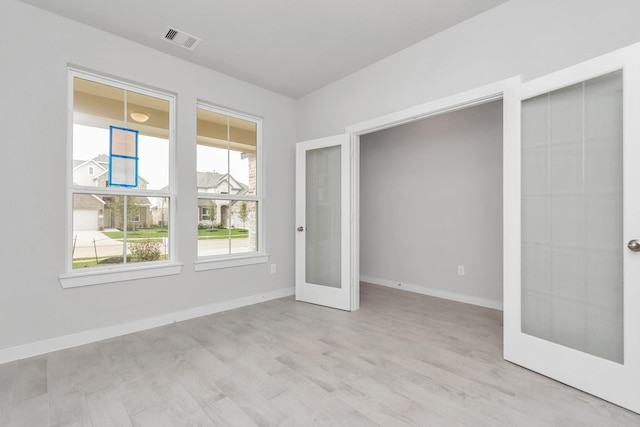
504 89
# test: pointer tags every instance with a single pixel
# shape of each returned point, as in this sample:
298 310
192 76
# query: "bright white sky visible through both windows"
153 155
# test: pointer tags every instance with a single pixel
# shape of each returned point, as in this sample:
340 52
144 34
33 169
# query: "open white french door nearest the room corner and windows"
326 273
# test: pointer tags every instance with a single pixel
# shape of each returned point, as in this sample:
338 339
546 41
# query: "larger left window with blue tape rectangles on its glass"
121 207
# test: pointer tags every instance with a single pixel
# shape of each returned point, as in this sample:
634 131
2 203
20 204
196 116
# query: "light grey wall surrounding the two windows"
34 56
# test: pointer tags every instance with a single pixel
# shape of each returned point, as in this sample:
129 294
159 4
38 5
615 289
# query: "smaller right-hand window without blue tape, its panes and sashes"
228 184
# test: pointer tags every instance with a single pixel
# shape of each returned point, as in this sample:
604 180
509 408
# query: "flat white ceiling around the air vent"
292 47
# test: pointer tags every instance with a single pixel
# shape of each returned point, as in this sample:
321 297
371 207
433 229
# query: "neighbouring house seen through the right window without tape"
214 182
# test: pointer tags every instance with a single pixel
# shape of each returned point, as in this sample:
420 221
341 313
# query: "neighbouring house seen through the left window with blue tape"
95 211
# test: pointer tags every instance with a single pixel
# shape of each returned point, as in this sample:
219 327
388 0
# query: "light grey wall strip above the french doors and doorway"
528 37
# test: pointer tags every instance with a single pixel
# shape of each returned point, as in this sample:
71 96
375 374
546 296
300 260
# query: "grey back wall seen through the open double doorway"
431 200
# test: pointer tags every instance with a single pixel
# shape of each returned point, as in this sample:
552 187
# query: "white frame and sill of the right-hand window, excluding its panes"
210 262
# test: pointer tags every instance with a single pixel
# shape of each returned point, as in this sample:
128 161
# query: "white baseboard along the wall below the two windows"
59 343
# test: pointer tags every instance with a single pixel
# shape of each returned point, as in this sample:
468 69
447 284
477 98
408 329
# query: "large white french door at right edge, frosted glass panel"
572 227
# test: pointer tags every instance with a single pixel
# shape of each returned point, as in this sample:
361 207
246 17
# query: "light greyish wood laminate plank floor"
403 359
